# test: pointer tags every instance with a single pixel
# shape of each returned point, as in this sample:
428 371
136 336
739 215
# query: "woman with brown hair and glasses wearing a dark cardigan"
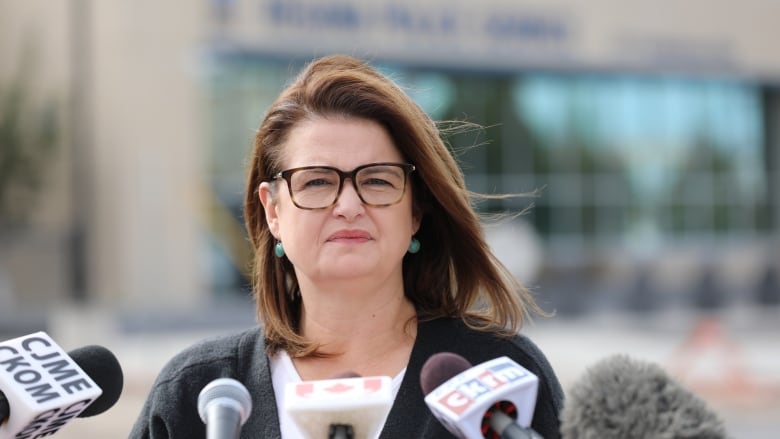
368 258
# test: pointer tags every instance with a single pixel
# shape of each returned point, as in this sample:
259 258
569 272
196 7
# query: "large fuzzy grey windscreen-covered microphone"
620 397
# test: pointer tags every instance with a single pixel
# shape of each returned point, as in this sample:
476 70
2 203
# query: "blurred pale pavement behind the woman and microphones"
731 359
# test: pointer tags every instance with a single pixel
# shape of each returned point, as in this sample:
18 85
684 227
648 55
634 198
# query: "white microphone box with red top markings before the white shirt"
347 406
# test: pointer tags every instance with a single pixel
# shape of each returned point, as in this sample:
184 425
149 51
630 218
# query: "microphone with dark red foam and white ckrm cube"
495 399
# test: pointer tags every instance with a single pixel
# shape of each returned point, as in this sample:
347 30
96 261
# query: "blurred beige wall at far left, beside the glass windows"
128 170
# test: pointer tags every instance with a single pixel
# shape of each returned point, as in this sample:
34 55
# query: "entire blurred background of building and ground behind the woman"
647 133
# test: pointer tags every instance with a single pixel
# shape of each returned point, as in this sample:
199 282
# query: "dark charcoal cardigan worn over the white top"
171 410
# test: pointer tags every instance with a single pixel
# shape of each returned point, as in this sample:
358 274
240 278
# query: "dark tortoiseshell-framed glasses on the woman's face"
318 187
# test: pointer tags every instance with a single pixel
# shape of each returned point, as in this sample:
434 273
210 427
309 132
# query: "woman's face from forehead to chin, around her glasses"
348 240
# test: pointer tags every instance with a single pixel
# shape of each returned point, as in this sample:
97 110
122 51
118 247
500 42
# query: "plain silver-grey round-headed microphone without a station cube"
224 406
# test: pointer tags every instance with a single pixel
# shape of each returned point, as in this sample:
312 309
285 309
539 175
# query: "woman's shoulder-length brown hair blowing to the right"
454 275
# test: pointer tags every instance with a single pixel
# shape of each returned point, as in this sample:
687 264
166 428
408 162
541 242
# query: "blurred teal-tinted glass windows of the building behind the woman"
619 159
